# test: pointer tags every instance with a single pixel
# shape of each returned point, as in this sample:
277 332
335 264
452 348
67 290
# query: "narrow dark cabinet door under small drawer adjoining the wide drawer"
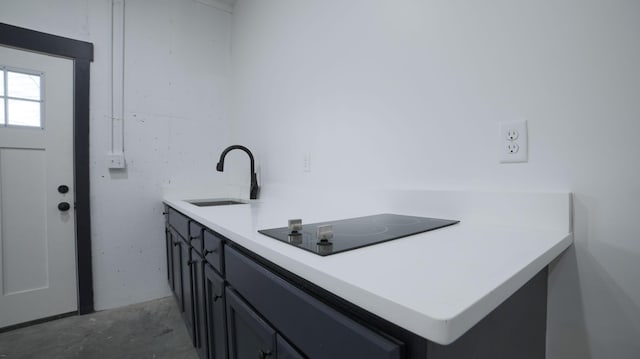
215 317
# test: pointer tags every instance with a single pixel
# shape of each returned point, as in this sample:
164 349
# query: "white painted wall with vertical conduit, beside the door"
176 124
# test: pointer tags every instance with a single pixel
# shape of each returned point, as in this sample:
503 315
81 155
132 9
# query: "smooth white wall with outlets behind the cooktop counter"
410 93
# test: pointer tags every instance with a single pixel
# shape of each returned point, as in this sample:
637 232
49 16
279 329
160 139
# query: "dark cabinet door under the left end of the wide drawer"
250 337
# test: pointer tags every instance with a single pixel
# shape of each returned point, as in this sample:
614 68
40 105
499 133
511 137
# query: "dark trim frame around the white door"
81 53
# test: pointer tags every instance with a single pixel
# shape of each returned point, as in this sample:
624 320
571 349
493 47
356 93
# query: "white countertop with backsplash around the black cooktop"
436 284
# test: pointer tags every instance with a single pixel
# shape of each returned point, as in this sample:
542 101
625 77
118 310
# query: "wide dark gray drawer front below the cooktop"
318 330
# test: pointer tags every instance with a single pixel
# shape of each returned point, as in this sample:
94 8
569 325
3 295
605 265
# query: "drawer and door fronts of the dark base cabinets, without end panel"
222 319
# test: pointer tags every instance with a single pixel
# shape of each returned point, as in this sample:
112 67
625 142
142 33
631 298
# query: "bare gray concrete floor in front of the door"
147 330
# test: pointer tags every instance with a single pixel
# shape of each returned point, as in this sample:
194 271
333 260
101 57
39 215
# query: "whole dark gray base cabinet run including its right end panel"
236 304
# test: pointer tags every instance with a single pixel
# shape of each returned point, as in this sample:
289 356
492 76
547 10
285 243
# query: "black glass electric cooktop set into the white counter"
355 233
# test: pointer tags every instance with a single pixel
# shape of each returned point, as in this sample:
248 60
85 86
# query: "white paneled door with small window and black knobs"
37 239
